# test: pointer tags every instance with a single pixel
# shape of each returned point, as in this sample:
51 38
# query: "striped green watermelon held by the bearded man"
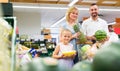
100 35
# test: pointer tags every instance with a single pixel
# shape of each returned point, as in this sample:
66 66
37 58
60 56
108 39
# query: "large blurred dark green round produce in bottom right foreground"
107 58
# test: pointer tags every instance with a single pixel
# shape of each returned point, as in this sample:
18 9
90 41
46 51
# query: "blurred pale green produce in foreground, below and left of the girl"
42 64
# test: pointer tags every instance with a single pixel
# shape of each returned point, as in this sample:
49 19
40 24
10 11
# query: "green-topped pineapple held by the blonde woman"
82 37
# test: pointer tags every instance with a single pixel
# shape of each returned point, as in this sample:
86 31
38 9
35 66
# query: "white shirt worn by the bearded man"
89 26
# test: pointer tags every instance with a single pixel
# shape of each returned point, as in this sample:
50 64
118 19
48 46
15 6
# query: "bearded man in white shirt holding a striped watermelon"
94 23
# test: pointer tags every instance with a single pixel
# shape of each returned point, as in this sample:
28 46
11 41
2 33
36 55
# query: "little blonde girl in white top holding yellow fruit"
64 46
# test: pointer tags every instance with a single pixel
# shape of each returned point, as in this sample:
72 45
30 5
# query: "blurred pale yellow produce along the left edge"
5 43
